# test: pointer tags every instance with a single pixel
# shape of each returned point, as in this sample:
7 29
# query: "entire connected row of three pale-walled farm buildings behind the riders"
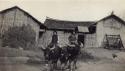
107 32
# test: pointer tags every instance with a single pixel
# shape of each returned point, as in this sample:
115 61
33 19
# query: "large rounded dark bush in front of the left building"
19 36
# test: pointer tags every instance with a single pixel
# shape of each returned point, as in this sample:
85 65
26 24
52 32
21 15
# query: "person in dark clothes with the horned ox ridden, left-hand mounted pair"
52 52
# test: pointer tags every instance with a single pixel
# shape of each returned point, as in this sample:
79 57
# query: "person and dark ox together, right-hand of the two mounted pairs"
73 49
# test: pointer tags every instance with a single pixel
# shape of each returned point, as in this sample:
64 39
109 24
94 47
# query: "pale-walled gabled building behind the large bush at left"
15 16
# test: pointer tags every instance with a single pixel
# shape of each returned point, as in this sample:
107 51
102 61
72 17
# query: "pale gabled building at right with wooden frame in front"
110 32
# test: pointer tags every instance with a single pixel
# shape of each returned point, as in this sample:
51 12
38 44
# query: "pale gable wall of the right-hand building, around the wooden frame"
103 28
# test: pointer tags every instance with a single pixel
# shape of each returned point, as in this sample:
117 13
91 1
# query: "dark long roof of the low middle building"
65 25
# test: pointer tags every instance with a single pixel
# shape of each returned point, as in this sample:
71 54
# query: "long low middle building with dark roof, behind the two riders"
85 31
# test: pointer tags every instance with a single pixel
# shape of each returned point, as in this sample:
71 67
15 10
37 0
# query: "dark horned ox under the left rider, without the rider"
52 54
